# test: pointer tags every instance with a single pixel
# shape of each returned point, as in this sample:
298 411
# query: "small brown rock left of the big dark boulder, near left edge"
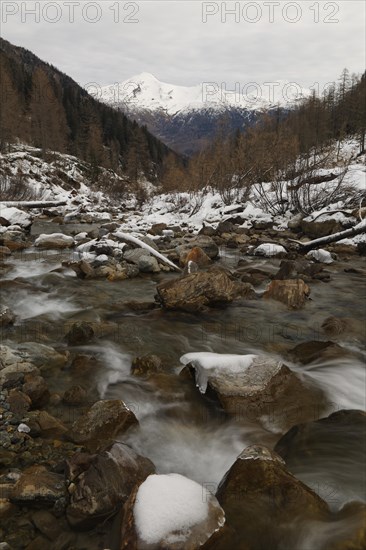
37 485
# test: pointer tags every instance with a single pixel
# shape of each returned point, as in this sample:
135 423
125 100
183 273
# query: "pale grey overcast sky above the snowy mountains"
303 42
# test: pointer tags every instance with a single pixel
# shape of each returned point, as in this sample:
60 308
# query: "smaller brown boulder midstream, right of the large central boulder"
291 292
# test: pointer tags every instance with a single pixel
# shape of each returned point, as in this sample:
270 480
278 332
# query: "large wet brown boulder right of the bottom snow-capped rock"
264 504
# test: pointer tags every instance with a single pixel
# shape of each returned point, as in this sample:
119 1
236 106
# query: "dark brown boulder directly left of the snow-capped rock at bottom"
99 484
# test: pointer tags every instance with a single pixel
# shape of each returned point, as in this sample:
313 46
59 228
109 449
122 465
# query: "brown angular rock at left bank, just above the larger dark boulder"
102 422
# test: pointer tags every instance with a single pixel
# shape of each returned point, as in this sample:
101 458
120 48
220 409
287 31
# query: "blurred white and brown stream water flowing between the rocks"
180 431
